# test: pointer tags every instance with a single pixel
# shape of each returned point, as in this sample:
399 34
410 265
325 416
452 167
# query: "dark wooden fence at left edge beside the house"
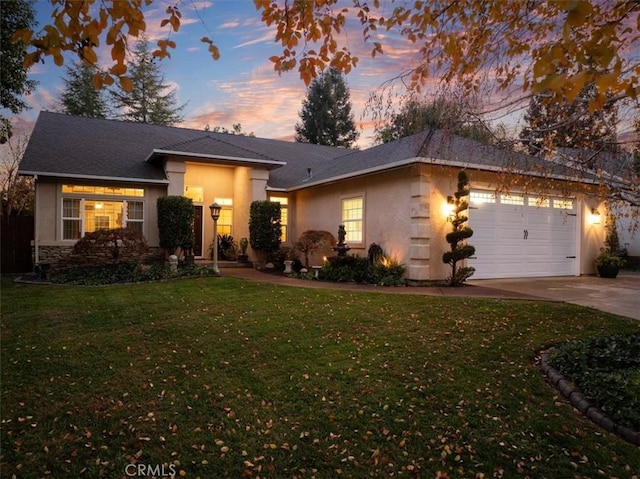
17 232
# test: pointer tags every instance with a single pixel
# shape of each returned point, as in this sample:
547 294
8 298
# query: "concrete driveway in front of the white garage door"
619 296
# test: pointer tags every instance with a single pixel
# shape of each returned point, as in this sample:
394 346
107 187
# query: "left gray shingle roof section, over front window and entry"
71 146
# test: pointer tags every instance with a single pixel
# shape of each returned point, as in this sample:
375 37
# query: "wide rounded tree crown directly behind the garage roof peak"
441 113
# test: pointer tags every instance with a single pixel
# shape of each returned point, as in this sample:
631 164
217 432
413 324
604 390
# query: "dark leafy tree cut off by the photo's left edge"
15 15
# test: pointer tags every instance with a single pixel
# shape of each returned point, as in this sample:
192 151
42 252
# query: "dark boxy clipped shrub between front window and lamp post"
175 224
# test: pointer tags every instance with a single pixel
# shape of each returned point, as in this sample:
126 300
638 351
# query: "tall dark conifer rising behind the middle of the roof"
326 117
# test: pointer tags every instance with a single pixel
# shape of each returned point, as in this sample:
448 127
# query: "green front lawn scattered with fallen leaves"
217 377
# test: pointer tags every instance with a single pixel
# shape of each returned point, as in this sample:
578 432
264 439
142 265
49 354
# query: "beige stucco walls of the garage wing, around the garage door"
406 213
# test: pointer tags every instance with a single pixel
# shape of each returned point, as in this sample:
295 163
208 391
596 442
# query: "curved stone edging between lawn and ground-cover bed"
582 404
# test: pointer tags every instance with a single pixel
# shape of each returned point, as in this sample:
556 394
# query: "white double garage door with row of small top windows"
522 236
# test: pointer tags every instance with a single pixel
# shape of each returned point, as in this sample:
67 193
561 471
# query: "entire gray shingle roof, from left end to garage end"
70 146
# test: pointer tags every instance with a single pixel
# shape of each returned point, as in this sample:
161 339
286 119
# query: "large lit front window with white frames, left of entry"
86 209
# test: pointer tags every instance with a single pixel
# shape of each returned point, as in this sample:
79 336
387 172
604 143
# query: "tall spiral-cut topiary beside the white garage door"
460 250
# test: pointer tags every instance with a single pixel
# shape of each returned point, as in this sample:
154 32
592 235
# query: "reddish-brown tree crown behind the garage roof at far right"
553 123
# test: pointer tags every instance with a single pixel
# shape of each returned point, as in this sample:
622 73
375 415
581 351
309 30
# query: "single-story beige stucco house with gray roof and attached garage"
96 173
